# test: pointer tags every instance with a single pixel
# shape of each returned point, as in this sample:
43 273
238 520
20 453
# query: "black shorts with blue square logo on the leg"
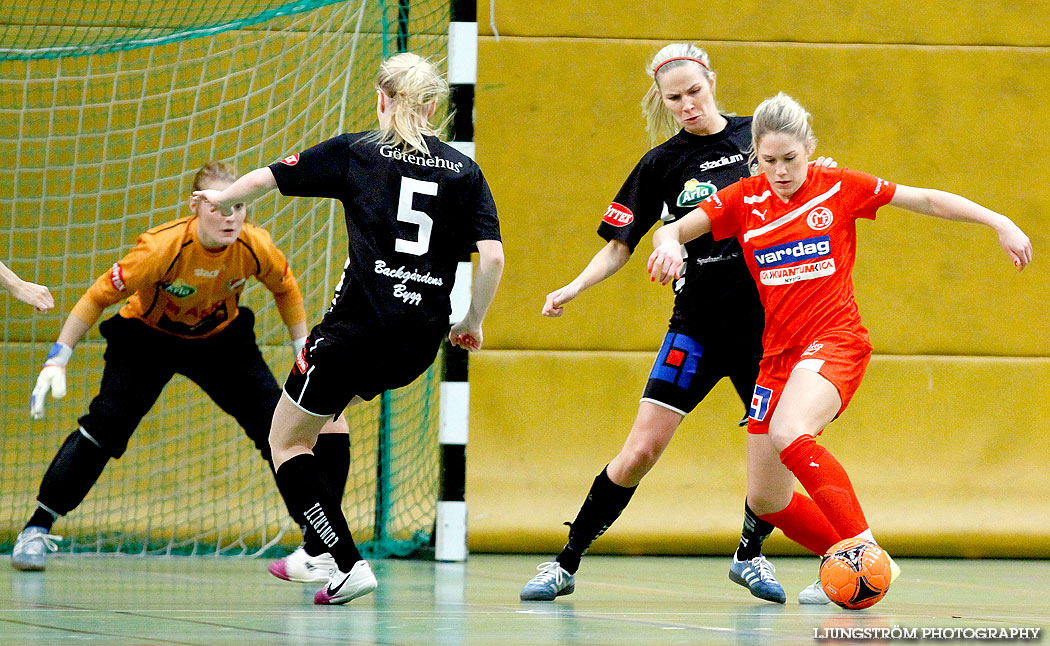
686 371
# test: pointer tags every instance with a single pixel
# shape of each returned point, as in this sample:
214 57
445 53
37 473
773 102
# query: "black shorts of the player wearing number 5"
331 371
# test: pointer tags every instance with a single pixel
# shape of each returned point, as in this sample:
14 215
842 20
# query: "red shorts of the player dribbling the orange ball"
841 358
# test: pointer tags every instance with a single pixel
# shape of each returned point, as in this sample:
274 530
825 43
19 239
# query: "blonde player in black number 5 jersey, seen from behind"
414 206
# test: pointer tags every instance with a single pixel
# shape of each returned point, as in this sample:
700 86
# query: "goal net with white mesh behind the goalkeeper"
107 113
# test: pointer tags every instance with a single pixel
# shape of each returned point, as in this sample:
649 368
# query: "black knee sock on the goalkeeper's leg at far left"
71 476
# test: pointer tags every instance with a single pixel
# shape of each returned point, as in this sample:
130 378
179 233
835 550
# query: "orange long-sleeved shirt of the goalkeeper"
175 285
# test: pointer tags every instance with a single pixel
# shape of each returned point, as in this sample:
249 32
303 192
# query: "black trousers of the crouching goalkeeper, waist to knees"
141 361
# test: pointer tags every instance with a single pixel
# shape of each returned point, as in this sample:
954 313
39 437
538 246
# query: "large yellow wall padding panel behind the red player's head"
559 129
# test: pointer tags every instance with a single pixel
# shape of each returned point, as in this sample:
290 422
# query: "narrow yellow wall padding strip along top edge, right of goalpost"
932 23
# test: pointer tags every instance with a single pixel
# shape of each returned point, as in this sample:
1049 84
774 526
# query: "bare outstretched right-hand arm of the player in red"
957 209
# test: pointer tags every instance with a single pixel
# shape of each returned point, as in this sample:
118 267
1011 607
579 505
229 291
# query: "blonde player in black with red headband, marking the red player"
716 330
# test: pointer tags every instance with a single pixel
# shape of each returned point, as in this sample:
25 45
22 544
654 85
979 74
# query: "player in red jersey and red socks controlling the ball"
797 227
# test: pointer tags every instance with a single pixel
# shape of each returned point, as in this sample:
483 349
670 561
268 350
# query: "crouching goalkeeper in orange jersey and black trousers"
183 282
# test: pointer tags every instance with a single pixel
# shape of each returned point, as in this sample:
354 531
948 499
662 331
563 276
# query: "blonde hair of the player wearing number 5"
413 84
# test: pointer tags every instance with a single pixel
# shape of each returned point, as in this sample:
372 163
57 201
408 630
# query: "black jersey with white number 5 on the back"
410 220
